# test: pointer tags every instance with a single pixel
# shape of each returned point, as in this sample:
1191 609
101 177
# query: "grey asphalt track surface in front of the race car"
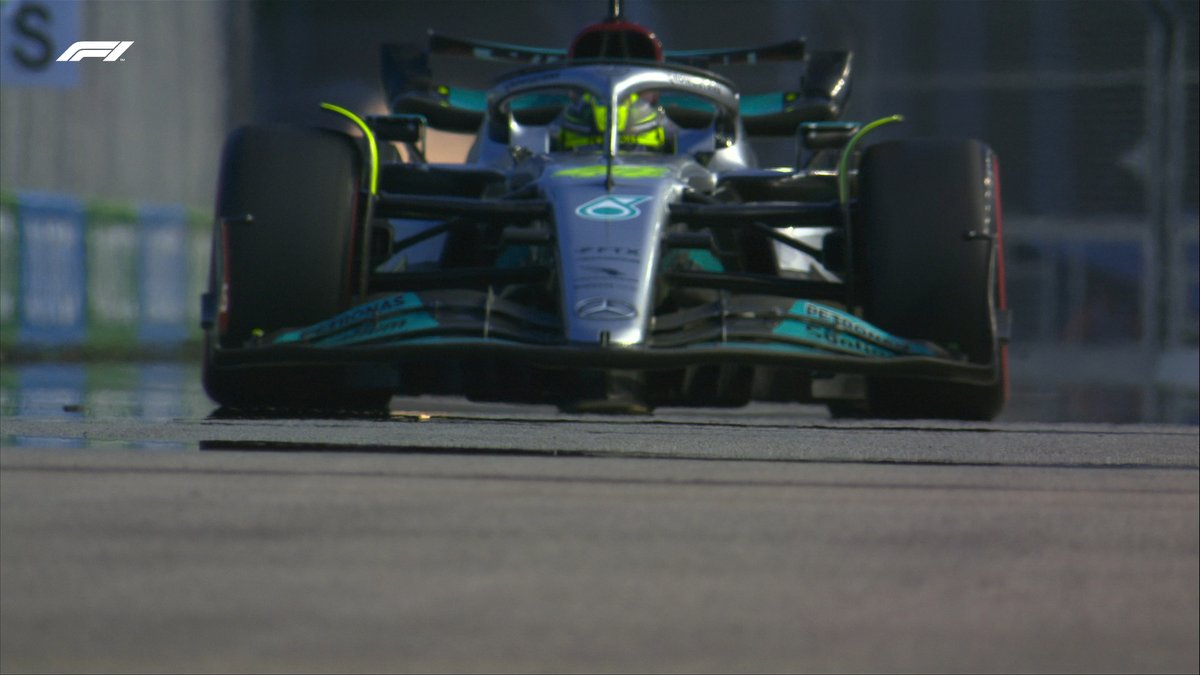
452 537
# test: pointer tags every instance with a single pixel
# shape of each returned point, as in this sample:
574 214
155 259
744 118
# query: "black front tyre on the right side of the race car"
931 266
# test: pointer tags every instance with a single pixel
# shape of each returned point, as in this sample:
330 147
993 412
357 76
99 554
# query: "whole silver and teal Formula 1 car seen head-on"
610 246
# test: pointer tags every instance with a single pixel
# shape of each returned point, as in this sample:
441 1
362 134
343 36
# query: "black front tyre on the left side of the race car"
285 255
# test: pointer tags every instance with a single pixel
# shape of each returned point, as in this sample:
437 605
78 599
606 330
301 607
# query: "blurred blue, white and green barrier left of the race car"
99 276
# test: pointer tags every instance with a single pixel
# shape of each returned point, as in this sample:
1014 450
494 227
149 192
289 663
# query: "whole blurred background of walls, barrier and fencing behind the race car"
107 169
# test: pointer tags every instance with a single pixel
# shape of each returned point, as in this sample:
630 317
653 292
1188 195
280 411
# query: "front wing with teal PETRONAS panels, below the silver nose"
472 325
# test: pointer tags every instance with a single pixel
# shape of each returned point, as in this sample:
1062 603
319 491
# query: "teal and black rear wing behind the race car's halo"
411 88
